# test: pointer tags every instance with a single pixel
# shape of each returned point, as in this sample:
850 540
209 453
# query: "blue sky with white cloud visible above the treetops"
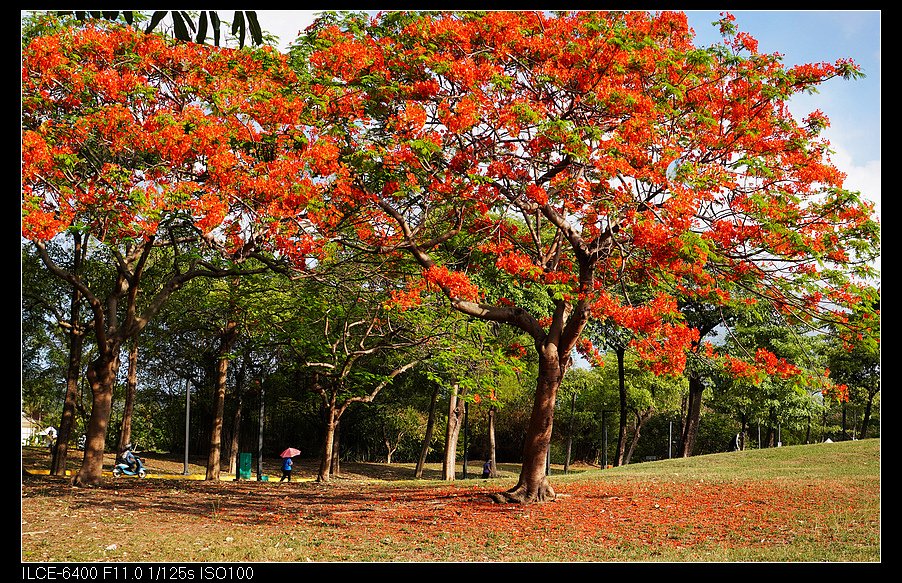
801 36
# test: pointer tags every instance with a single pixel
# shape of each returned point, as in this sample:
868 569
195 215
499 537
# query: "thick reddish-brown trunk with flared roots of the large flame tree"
533 485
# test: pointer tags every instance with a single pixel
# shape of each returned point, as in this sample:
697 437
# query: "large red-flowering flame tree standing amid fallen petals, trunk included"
575 153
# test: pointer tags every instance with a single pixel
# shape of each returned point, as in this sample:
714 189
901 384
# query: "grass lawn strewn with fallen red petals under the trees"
811 503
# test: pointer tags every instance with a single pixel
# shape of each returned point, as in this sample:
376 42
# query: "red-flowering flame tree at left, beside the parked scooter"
139 142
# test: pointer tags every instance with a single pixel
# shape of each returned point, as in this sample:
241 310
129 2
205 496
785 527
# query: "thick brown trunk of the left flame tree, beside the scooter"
101 375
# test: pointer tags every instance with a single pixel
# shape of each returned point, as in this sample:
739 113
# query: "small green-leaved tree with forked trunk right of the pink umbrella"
346 342
